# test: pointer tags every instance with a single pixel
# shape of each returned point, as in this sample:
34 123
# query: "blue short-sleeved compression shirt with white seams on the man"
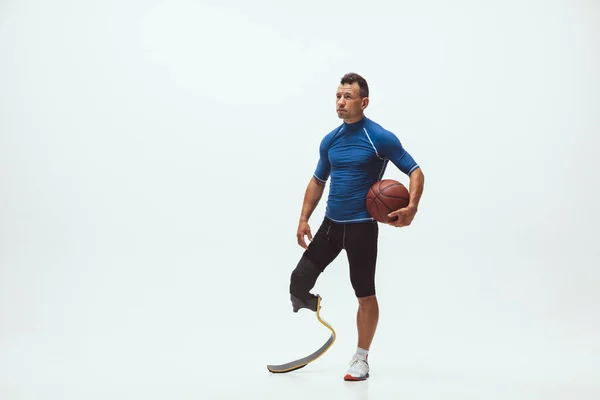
355 156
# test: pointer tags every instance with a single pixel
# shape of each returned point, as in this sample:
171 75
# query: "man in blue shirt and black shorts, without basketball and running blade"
355 156
